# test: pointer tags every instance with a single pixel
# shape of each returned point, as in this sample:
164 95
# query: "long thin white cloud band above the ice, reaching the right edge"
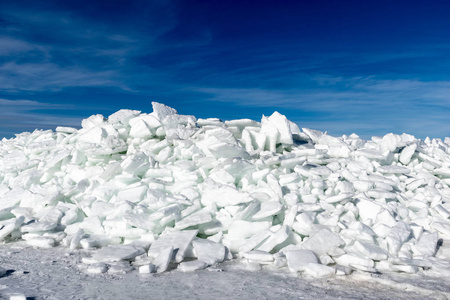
331 93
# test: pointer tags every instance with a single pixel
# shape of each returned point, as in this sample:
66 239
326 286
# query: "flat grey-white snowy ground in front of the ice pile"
55 274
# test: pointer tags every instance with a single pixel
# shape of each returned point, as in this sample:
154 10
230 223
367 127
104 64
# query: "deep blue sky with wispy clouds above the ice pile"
369 67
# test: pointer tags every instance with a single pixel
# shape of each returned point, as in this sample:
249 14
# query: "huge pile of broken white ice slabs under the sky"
162 190
